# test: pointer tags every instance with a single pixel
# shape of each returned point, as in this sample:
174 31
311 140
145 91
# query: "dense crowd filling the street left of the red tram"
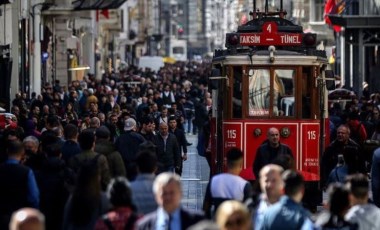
80 154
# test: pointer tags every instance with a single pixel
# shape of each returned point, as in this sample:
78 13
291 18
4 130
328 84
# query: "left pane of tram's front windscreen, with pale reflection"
259 92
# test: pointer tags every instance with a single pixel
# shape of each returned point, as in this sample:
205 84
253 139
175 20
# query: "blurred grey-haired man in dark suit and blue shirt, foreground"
170 214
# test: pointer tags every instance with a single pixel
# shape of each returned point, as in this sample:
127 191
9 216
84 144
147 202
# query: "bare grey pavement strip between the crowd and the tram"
194 178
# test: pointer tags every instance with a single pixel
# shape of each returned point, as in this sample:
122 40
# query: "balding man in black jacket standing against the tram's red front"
270 151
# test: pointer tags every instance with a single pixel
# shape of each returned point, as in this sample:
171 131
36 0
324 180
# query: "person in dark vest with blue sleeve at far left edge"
18 184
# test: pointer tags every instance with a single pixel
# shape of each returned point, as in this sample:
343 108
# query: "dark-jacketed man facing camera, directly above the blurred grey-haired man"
167 150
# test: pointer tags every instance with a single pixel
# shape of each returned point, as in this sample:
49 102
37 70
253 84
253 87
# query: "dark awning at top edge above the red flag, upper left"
97 4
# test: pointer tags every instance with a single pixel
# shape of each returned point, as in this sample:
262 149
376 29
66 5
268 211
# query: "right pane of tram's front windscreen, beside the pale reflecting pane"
283 88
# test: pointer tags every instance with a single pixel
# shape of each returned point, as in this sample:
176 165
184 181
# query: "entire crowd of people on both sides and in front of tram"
108 154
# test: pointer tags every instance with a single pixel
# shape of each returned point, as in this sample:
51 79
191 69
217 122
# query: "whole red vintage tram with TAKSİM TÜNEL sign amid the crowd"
270 75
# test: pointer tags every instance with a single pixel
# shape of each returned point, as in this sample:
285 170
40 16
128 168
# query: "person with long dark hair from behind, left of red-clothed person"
87 203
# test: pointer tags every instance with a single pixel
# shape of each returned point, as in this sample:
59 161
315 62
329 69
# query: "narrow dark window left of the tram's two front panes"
237 94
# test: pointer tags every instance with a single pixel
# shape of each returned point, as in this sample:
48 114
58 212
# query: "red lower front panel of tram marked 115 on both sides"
301 137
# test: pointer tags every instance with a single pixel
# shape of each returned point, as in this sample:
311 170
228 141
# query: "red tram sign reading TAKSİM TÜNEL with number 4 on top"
270 36
